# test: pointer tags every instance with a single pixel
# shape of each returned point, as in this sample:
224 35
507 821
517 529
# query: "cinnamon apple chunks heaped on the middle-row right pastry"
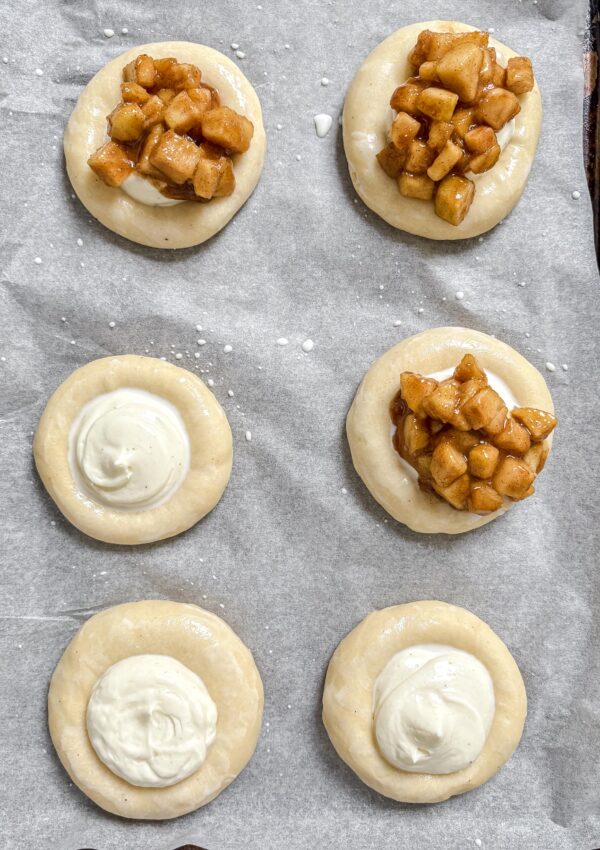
466 446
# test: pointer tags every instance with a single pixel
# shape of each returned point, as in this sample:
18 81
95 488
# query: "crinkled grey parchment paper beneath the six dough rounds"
297 552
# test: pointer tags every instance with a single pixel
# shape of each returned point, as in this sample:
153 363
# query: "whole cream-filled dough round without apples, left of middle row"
133 449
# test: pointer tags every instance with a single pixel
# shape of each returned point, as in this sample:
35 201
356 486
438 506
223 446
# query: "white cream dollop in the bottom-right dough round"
433 706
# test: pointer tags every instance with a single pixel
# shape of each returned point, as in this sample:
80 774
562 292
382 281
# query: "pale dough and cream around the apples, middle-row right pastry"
392 481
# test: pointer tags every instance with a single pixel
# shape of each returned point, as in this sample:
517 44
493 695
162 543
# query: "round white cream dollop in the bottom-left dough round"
151 720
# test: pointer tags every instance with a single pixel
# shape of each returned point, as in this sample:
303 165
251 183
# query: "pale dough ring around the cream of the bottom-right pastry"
363 654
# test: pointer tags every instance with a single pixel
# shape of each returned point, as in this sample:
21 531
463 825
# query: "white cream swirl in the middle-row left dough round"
129 449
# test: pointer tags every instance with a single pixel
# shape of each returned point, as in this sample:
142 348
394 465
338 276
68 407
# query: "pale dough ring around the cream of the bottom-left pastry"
203 643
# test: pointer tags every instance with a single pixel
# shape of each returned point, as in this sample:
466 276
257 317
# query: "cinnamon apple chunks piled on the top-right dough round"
447 118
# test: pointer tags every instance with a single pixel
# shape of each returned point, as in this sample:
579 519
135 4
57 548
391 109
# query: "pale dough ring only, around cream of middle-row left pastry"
210 449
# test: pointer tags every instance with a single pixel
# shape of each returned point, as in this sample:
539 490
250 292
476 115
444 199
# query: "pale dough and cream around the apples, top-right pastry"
367 116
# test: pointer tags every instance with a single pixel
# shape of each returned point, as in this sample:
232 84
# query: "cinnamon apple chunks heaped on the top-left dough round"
171 129
